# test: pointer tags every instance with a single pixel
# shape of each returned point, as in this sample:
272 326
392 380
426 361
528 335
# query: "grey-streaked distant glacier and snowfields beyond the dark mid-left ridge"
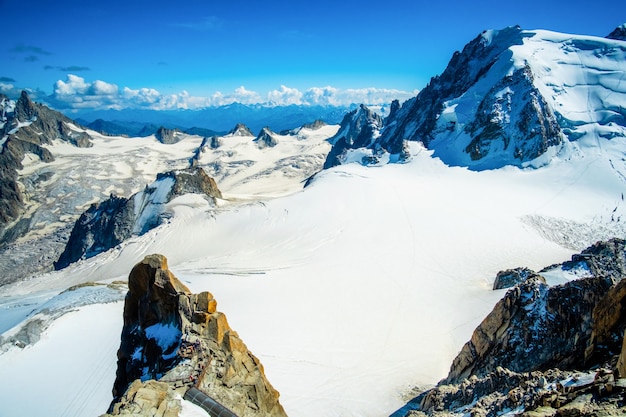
59 191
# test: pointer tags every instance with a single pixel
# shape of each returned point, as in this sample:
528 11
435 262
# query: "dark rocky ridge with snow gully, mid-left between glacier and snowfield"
107 224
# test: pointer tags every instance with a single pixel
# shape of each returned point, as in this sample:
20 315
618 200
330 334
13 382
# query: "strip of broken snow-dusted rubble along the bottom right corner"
530 394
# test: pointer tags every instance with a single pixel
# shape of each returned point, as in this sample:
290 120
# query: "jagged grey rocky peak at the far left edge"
25 130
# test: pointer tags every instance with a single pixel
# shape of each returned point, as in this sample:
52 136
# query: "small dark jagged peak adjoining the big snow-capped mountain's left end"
358 130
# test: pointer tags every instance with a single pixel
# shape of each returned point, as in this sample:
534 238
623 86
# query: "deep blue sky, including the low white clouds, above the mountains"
187 51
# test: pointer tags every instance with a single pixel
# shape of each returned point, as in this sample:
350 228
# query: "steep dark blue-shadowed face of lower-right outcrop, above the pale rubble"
533 327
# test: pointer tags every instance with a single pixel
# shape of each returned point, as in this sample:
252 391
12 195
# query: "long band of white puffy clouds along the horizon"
77 94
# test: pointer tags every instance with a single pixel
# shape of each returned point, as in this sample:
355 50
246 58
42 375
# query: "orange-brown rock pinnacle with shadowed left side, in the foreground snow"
181 340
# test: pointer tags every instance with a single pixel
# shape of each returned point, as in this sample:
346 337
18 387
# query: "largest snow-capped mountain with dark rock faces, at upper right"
512 96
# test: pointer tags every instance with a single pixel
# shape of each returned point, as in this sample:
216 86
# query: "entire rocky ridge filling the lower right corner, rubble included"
544 350
